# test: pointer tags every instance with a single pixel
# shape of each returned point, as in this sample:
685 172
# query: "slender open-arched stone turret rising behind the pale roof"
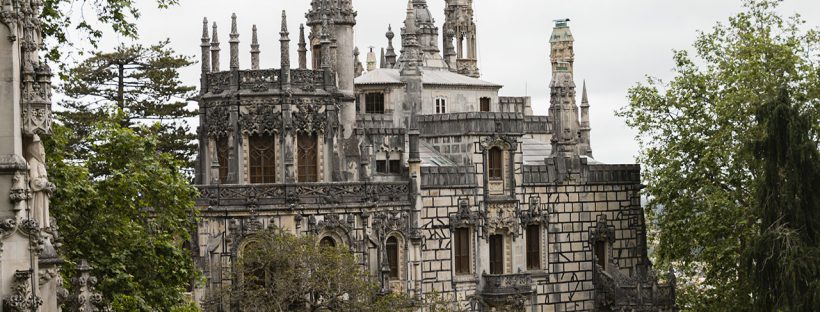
460 27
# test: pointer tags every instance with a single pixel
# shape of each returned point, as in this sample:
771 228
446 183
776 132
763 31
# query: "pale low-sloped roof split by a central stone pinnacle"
433 77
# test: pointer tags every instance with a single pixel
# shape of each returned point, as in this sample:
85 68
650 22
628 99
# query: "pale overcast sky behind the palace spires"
617 43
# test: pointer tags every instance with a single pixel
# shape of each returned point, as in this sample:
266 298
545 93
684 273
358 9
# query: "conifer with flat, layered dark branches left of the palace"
141 82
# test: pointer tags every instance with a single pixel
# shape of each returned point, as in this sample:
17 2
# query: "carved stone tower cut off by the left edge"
29 277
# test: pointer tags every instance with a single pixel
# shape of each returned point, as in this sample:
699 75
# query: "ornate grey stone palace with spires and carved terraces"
435 182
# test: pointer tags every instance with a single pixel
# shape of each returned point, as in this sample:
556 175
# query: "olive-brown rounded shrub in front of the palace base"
284 272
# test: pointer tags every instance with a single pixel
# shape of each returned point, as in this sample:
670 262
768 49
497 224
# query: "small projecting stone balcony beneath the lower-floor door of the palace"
506 289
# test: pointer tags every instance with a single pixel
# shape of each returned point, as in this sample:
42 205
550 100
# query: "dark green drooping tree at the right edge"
784 260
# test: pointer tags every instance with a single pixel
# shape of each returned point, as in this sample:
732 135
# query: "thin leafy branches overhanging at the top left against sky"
60 18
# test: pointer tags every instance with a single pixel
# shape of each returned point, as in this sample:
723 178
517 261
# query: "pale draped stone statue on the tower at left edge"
41 188
